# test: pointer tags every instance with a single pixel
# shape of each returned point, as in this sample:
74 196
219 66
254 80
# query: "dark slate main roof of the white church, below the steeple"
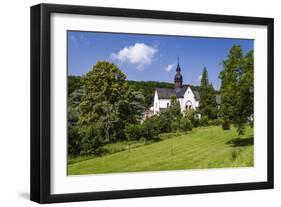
167 93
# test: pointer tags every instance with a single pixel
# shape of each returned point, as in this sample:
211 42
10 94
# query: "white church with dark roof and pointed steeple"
188 98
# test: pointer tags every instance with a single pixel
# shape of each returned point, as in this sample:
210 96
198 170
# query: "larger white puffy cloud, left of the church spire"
139 54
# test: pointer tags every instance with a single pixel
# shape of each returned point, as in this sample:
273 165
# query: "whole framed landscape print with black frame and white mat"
133 103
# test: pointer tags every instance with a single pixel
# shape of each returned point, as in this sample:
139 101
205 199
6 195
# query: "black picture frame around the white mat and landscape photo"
41 95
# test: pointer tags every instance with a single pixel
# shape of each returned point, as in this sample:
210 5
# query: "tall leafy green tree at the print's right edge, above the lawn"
237 93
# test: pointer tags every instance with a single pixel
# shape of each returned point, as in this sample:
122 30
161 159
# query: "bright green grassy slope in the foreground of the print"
209 147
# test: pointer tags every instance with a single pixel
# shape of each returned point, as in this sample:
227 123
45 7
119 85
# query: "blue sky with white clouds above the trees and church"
151 57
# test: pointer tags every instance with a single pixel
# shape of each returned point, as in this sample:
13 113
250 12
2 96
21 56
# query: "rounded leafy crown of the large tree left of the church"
104 85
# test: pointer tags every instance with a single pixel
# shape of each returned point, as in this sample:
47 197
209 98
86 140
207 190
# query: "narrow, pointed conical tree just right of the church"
208 105
